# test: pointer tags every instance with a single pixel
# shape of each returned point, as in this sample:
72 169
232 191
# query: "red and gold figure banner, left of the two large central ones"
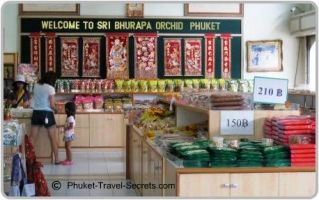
117 55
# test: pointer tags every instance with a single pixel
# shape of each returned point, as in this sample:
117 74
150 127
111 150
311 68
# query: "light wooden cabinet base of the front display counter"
213 182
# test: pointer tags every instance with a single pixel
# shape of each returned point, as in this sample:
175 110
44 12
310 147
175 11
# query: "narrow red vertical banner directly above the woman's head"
50 51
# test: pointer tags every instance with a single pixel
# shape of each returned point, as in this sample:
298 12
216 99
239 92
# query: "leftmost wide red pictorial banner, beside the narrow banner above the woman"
69 57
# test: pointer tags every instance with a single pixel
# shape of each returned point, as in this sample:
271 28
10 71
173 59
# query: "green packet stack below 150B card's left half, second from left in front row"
223 157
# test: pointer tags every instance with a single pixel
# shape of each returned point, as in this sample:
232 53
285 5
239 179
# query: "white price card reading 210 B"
270 90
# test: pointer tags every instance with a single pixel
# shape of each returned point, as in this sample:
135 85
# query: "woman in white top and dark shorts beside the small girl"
43 107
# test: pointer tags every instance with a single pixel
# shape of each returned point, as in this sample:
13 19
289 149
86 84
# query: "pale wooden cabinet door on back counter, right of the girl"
106 130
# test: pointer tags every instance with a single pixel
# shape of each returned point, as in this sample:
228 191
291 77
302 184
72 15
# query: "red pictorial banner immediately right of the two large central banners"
172 57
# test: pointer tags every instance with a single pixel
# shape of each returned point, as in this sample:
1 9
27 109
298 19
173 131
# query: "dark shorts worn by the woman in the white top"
38 118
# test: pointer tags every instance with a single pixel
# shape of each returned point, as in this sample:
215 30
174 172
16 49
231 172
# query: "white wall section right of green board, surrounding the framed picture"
270 22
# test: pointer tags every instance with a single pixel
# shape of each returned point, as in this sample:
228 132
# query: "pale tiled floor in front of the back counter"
92 174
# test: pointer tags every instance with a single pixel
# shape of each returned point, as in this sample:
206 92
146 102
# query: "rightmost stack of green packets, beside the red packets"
277 156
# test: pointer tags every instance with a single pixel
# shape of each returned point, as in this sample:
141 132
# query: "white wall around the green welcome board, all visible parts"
262 21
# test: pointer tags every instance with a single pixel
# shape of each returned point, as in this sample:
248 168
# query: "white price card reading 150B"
237 122
